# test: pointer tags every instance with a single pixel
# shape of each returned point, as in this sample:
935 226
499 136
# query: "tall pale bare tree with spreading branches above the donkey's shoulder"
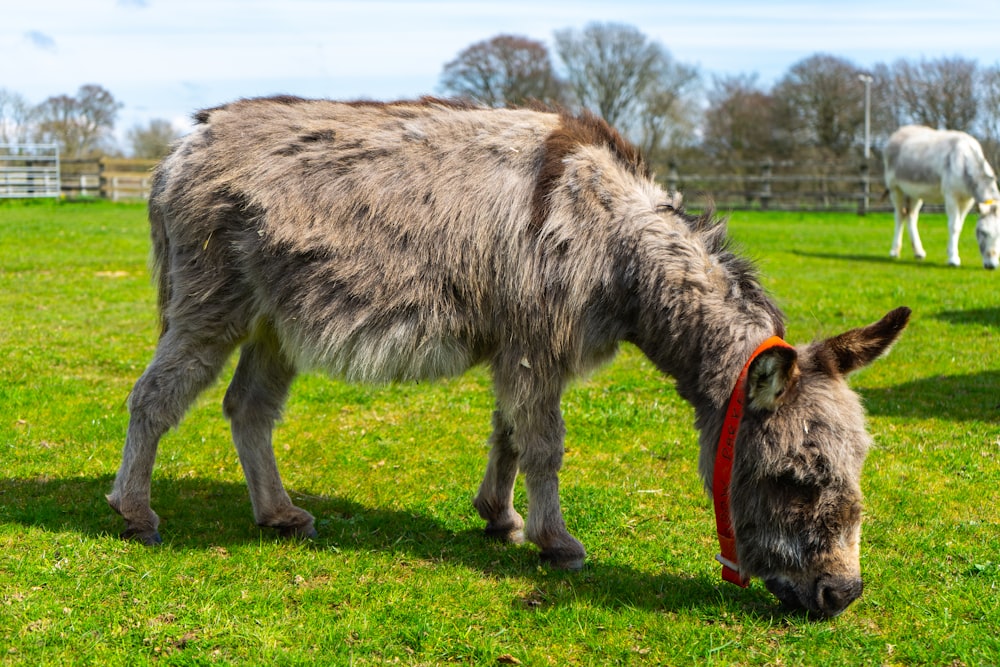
633 83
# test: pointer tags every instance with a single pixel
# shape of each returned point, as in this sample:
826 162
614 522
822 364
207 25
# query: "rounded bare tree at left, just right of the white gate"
78 124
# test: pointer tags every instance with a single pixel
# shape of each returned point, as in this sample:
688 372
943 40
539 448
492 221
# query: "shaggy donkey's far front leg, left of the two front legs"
495 500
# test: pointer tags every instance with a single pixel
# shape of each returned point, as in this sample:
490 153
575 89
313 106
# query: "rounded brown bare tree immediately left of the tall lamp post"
820 107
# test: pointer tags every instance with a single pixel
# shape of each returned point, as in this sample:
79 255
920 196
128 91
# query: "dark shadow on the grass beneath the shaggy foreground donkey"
199 514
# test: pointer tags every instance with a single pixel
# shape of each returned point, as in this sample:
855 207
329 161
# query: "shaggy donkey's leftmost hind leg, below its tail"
184 365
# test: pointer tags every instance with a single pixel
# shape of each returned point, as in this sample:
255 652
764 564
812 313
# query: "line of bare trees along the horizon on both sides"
814 112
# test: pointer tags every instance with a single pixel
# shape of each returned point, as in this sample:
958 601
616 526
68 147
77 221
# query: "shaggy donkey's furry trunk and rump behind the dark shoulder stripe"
376 239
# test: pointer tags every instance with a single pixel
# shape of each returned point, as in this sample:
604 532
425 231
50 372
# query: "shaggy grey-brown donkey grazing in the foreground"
411 240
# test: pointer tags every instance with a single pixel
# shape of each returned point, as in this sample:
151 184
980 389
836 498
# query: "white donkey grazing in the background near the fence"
921 163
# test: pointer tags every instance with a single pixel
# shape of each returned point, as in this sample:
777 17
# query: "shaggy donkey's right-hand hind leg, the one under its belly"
253 404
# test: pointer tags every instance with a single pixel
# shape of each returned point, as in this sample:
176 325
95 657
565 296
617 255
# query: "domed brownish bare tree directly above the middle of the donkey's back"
504 70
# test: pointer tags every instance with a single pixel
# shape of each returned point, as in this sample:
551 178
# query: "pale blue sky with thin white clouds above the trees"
164 59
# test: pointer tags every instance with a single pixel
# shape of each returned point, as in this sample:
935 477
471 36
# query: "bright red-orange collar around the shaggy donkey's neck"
724 468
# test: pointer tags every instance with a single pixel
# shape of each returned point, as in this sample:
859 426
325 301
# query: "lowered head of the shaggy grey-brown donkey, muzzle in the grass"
795 493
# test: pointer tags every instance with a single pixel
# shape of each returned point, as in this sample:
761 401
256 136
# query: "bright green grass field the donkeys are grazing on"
400 573
